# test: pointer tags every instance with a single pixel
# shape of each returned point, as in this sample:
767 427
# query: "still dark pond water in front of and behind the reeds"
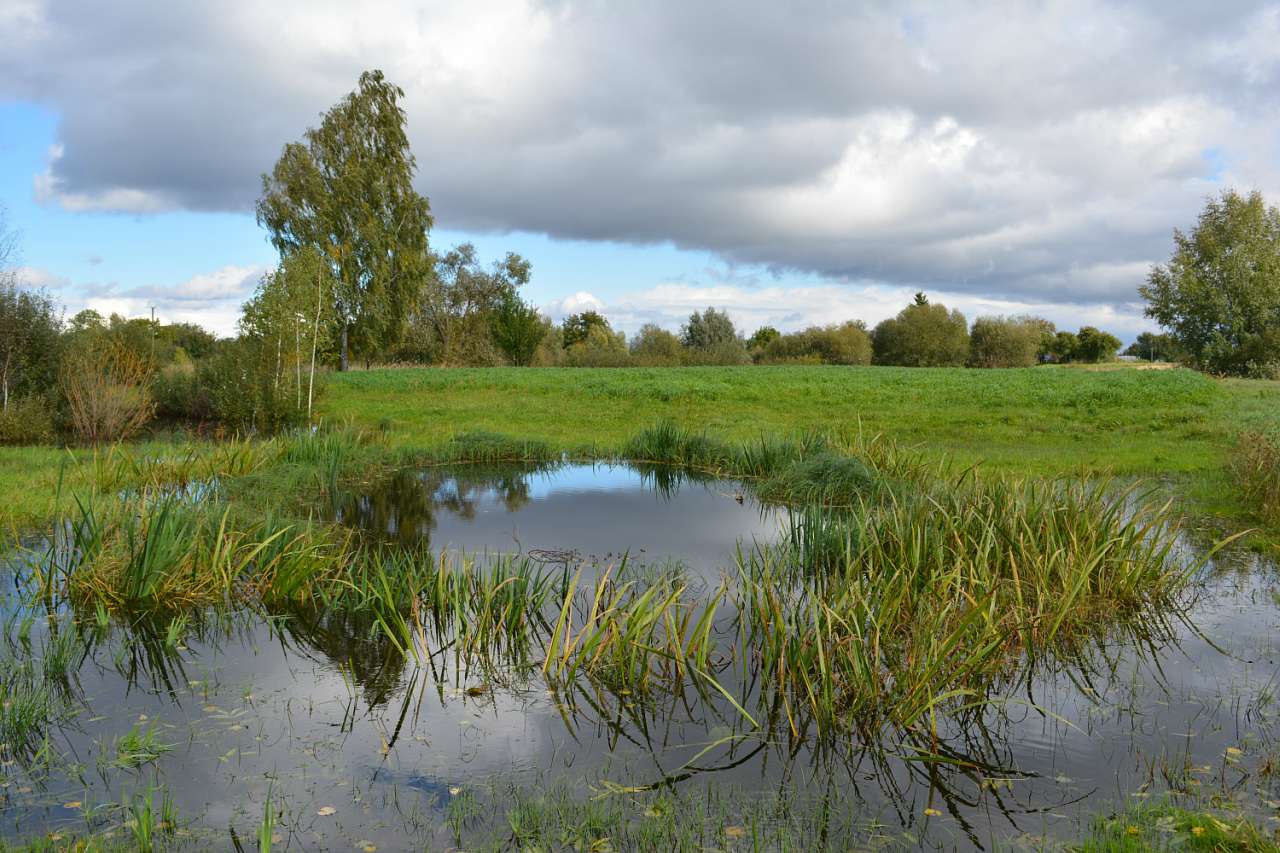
296 708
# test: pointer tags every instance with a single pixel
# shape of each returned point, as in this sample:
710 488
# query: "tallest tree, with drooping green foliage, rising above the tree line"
348 191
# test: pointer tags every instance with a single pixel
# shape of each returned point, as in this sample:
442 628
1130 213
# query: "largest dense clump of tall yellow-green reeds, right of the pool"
902 608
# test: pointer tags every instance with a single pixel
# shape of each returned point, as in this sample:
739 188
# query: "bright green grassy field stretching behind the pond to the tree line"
1176 425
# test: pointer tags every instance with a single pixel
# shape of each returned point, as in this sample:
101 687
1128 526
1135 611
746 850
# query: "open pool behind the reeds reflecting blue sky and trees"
593 514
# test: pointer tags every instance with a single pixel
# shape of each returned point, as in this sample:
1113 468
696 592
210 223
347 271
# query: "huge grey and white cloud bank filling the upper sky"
1036 152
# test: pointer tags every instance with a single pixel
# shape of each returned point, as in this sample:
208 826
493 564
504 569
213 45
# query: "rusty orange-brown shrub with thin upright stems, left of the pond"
108 391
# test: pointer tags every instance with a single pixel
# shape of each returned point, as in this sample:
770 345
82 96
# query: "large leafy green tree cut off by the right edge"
1219 295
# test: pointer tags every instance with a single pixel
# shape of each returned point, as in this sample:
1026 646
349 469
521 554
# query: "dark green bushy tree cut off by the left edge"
30 330
